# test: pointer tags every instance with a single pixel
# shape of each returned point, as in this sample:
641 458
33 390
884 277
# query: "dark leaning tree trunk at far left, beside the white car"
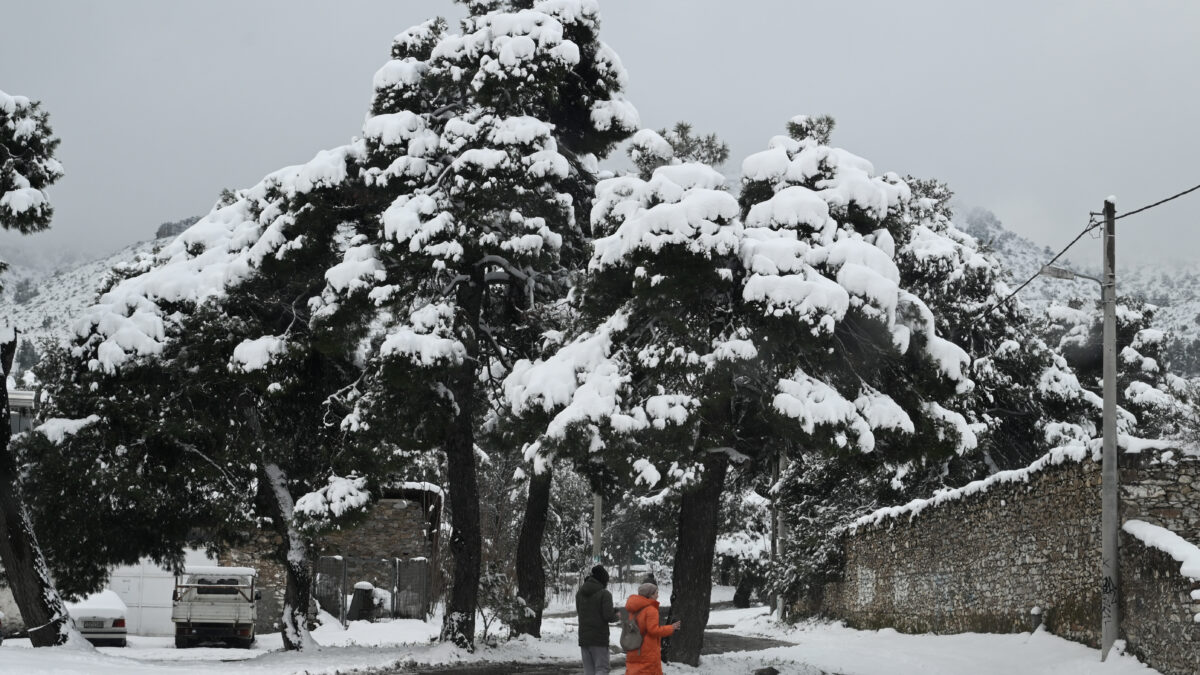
41 608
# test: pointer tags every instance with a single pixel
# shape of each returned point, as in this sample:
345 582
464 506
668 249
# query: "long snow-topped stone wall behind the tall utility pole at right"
1024 547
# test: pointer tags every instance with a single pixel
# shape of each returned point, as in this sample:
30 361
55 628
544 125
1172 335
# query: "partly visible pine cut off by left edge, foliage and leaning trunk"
27 169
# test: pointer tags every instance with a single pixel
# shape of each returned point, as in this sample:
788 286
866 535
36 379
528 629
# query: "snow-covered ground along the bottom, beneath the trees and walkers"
818 647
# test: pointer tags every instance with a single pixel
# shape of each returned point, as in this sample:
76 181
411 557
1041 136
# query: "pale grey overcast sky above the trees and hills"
1035 110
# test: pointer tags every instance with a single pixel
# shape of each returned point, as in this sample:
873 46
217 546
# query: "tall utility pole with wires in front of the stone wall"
1111 561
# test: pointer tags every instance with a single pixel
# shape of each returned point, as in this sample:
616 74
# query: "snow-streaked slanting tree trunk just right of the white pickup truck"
295 554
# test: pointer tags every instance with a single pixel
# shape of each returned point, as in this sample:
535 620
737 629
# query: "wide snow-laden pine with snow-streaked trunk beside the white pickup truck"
226 316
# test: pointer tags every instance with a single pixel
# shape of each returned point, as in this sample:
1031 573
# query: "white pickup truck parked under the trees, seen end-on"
215 605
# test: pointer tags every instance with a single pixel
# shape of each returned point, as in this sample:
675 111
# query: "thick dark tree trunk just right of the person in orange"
693 580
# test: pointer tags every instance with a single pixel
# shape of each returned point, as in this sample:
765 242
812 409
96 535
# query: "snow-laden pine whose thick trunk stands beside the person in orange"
710 339
